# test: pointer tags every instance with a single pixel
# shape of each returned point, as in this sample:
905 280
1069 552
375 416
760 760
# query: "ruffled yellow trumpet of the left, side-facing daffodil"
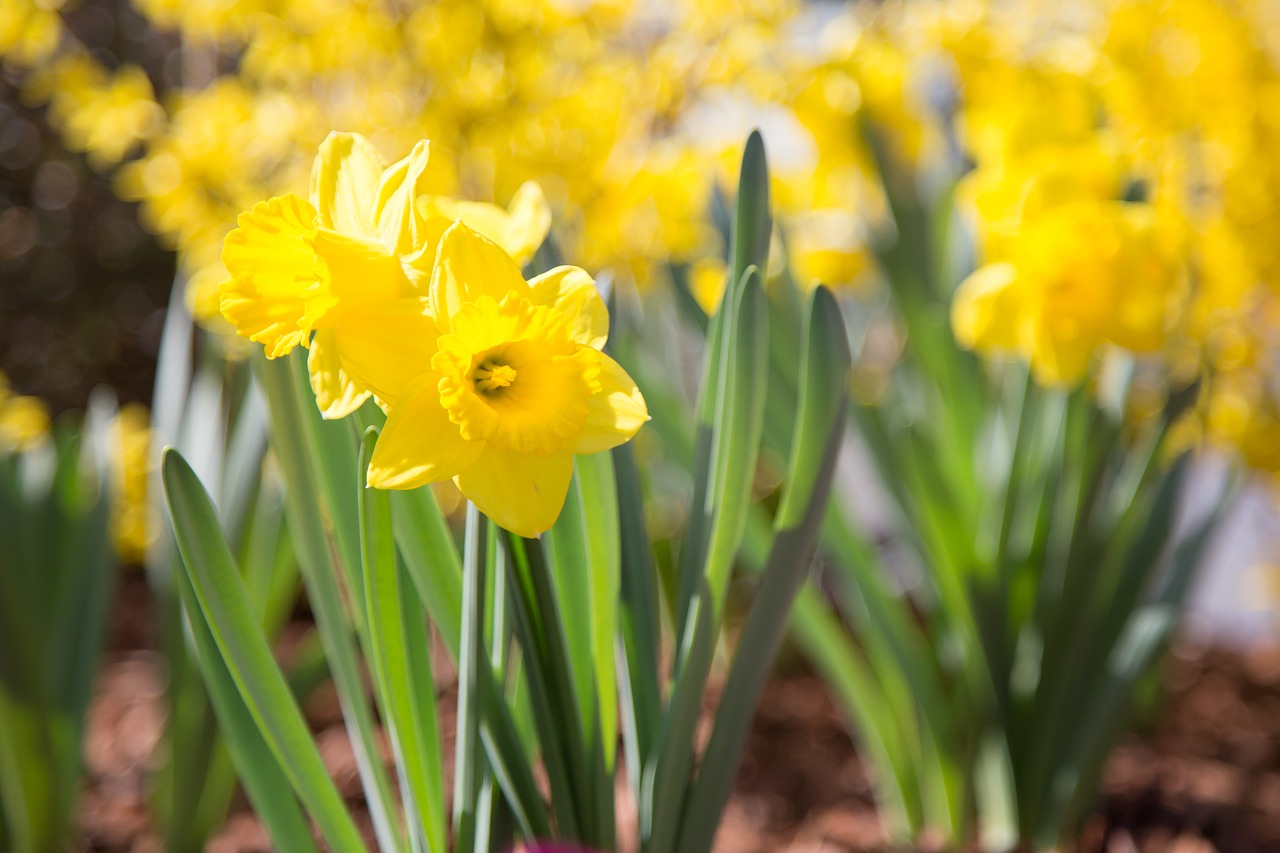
275 279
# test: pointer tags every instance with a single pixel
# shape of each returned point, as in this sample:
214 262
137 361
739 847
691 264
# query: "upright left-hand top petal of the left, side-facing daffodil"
345 179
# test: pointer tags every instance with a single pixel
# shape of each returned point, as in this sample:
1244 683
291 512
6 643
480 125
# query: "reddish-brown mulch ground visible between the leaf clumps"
1205 778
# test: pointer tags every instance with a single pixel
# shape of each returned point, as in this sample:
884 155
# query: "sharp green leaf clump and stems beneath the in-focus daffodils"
554 637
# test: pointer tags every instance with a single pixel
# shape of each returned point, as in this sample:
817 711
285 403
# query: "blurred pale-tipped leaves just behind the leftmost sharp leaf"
209 408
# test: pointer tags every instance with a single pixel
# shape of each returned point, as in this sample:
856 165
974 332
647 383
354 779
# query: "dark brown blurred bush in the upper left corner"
85 286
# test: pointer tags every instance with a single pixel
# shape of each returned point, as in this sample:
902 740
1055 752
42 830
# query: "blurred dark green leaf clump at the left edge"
57 589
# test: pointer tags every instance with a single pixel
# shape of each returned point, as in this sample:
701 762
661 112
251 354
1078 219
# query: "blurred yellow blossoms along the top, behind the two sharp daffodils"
627 116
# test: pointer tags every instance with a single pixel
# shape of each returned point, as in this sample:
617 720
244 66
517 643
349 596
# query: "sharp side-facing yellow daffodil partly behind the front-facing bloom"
349 262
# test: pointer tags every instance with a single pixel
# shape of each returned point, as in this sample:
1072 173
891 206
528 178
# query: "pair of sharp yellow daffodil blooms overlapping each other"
419 303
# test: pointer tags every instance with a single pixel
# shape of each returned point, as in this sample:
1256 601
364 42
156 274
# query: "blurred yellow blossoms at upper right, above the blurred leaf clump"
1123 194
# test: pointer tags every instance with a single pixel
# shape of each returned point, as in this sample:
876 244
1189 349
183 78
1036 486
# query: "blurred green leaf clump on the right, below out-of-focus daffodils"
1052 580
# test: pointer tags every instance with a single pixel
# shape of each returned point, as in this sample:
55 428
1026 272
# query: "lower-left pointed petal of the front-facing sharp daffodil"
420 445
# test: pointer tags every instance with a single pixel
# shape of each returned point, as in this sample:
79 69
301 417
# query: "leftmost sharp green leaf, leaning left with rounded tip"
225 605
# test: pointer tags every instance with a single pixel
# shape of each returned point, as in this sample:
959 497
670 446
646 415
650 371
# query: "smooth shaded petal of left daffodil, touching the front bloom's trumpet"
386 346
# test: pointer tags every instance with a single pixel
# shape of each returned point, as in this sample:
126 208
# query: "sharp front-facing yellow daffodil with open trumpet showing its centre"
499 385
